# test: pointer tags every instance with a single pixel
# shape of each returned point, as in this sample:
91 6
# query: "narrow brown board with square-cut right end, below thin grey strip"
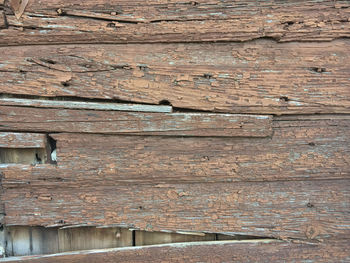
121 122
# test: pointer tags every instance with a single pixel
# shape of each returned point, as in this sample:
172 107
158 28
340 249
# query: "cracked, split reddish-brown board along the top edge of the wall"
122 21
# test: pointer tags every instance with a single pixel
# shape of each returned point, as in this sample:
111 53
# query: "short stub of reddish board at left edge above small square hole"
22 140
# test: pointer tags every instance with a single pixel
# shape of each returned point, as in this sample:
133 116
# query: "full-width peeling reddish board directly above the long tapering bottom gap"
313 210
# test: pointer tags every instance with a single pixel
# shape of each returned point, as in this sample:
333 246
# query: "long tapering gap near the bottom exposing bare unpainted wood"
38 240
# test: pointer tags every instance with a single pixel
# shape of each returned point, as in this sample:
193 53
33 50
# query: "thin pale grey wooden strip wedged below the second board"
84 105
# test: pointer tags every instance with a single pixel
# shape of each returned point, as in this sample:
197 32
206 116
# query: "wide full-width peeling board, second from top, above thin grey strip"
260 77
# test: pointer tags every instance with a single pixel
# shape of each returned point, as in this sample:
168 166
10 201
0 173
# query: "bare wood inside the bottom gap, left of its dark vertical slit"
24 240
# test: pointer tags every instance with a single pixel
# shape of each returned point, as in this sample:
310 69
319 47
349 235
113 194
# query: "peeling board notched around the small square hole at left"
300 149
